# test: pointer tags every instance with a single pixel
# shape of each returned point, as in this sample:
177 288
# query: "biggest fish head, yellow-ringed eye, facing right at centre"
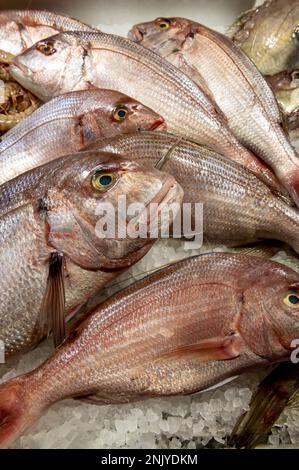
102 209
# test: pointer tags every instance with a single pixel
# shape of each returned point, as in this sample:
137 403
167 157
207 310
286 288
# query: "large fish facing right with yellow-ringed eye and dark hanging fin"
53 254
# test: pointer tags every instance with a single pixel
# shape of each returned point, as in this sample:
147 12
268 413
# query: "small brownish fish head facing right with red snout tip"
125 115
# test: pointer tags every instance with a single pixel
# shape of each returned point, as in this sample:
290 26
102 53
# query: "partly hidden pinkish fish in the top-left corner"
20 29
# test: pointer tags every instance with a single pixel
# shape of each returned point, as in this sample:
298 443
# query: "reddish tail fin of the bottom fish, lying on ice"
16 410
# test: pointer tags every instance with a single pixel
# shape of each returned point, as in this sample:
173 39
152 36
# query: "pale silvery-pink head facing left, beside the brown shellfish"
51 66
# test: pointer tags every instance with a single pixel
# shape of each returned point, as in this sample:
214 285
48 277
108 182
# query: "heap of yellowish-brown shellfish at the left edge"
16 103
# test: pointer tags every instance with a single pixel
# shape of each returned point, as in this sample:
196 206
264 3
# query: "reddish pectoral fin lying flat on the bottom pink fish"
213 349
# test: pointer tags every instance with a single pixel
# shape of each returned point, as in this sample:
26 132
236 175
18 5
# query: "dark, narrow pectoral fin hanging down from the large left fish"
52 313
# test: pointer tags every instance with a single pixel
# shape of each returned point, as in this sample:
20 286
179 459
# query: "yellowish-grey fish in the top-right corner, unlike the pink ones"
269 35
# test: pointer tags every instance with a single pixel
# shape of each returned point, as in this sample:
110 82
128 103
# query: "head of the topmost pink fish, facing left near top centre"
163 35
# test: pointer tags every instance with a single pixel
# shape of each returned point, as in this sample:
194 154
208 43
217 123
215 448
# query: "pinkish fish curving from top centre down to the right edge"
238 88
